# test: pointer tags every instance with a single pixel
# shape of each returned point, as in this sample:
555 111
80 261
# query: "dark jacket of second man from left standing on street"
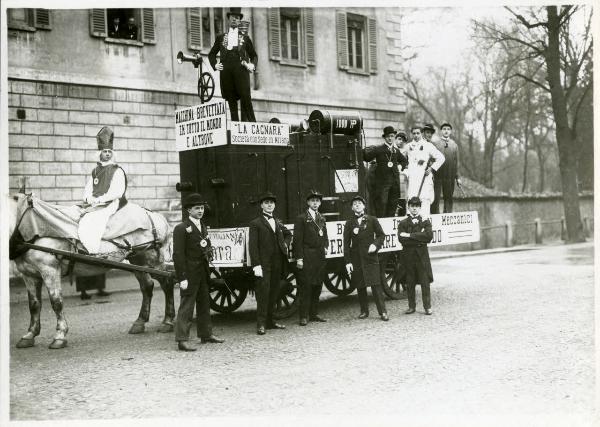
264 243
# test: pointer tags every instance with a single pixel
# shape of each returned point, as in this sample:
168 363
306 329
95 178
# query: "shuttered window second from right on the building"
291 36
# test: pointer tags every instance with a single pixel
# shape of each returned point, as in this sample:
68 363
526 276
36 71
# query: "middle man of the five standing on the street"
310 247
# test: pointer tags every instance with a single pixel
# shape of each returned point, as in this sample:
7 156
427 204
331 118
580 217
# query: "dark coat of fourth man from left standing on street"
357 239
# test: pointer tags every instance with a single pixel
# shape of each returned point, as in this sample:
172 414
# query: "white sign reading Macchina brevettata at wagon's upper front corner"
201 126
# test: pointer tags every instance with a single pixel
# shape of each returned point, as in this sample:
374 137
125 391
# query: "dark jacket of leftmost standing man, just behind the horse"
189 255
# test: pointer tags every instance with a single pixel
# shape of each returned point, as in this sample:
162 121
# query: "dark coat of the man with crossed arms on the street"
414 248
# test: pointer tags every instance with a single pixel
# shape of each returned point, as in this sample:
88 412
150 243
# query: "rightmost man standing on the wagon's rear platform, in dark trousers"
447 174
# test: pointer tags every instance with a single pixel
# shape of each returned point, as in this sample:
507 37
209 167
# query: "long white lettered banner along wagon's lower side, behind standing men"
448 229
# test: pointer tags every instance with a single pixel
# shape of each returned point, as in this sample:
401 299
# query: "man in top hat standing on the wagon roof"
238 59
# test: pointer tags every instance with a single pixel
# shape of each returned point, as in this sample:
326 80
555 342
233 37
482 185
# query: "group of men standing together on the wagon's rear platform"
431 167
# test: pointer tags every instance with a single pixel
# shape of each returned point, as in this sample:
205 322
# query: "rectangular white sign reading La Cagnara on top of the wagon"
256 133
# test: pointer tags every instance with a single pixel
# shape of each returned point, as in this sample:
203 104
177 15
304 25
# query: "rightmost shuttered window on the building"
356 43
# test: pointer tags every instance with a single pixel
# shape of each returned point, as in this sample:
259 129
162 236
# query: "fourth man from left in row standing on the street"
363 237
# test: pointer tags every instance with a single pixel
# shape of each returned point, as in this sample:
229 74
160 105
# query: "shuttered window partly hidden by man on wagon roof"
203 26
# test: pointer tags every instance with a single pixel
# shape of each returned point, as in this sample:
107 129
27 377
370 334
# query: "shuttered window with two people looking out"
125 26
